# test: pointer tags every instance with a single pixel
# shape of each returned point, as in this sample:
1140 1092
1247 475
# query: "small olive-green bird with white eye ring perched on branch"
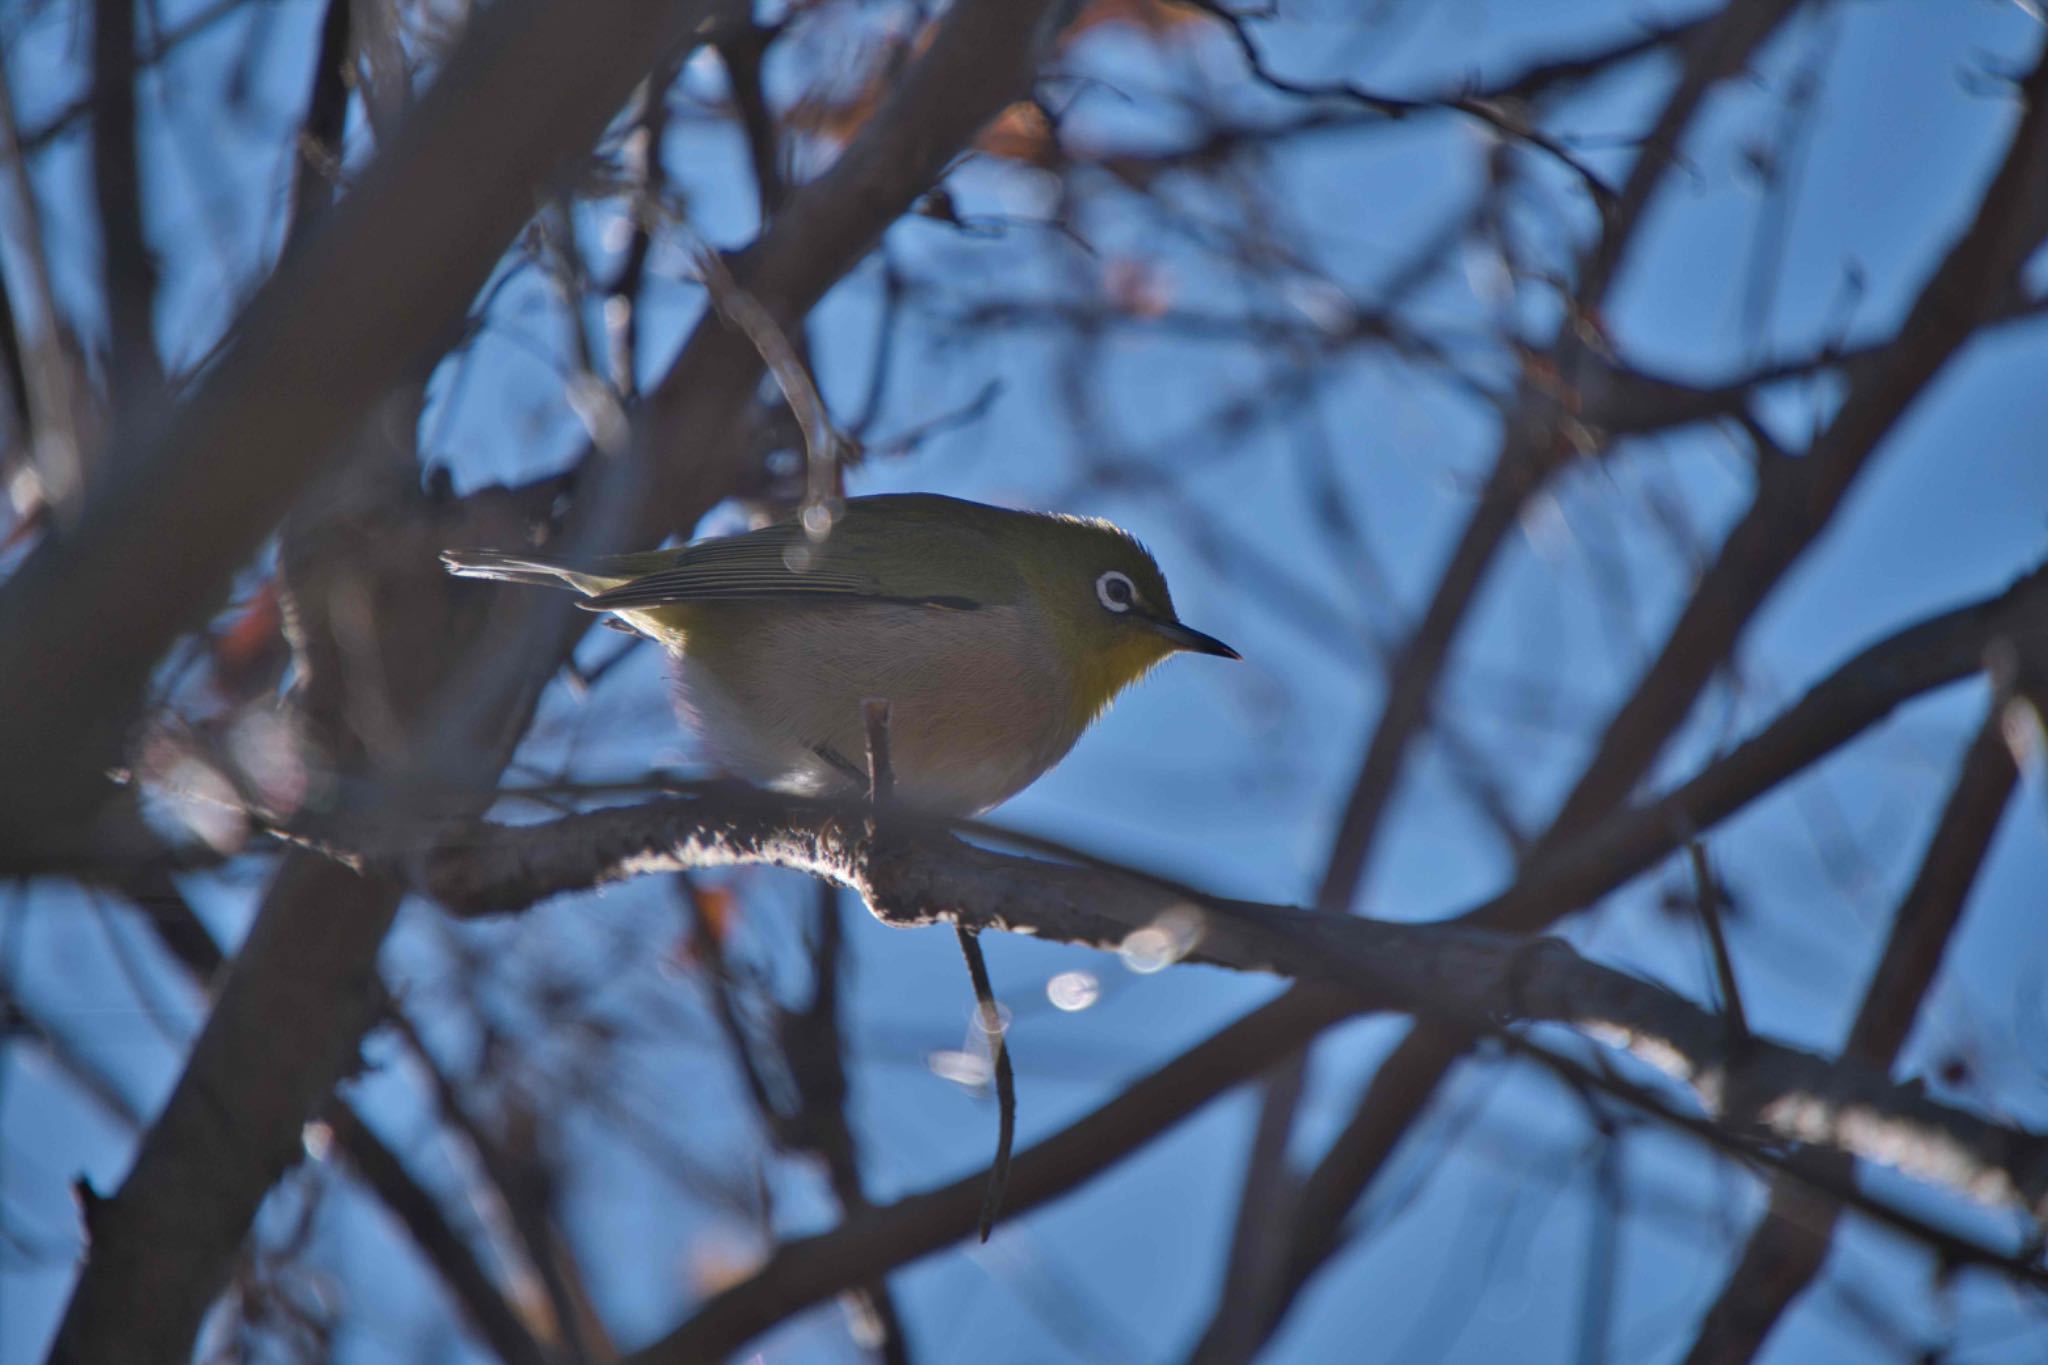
996 637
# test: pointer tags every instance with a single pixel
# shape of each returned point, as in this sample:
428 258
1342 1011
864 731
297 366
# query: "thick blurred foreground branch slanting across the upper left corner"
310 357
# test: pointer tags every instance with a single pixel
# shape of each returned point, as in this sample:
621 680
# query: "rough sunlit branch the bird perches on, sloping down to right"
1437 971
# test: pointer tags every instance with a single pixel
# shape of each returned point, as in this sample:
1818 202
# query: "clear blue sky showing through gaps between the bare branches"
1232 775
